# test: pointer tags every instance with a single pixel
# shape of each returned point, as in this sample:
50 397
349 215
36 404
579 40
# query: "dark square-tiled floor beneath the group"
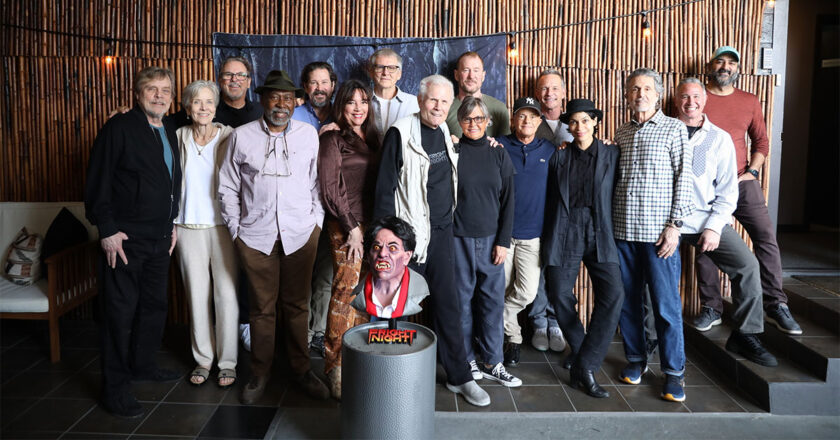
43 400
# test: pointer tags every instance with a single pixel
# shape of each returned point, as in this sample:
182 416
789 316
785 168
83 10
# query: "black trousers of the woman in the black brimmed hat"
590 347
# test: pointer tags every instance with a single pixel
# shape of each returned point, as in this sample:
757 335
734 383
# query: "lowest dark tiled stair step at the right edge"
787 389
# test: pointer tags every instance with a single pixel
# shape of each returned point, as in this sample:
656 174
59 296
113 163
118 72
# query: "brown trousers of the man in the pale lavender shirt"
279 282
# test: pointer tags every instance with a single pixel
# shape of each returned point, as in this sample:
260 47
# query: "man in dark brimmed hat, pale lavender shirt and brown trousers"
270 202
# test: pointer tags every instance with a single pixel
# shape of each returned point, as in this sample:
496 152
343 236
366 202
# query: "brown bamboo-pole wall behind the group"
58 89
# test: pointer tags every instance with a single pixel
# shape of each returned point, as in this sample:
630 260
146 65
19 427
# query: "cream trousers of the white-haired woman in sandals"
209 269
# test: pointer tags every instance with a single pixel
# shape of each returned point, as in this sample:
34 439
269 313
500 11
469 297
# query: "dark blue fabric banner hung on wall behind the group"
348 56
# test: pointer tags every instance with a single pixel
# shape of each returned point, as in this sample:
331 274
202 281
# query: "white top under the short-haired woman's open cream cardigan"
200 204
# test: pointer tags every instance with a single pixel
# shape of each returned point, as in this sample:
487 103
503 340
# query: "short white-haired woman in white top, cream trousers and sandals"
205 251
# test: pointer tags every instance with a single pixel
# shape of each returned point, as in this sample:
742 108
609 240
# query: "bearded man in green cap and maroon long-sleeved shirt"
739 113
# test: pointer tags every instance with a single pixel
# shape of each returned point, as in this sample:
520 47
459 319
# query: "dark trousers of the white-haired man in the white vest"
446 310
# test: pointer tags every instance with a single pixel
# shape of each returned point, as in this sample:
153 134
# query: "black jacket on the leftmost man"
128 186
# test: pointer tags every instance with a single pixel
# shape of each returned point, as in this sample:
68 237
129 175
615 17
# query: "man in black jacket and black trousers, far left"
132 195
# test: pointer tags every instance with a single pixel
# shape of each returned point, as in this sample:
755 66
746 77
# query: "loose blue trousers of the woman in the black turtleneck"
481 284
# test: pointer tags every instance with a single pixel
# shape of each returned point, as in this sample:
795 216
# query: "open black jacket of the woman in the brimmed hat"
557 205
